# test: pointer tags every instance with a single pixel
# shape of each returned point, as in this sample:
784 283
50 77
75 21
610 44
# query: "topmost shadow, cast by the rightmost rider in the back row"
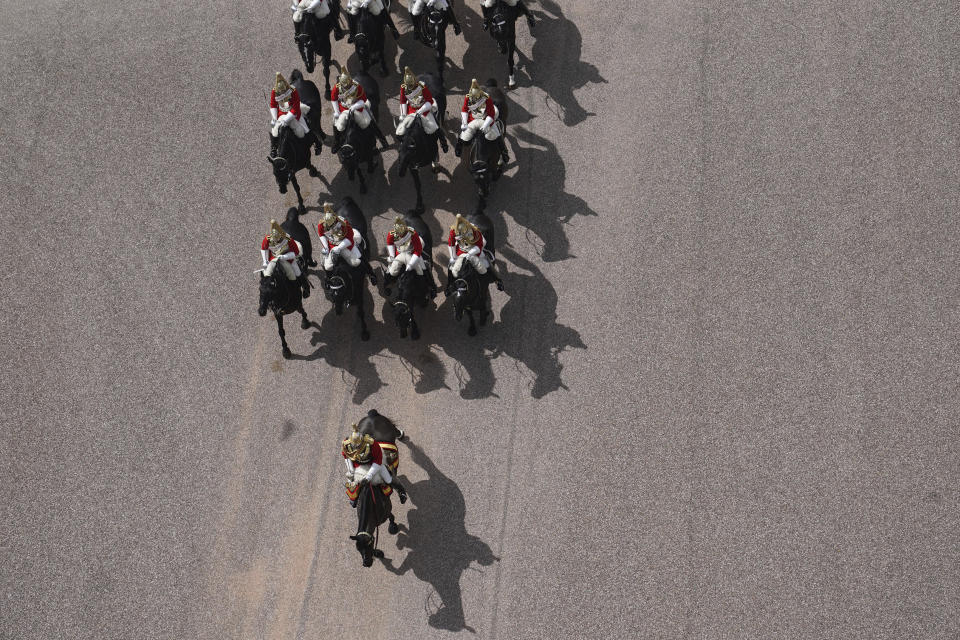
556 66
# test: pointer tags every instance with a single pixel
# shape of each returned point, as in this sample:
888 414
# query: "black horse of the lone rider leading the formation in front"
374 508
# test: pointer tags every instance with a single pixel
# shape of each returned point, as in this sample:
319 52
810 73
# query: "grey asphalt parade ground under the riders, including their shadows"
718 398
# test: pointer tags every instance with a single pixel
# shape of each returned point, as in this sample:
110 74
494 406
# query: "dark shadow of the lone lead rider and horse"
439 548
